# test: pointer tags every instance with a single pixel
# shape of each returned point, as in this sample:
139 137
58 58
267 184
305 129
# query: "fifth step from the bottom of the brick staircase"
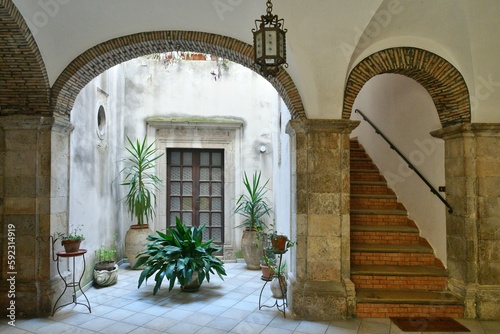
379 217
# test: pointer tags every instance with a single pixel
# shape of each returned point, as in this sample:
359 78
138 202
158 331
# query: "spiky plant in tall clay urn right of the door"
253 206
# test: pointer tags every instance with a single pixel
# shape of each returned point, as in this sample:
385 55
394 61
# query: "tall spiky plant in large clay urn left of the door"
142 183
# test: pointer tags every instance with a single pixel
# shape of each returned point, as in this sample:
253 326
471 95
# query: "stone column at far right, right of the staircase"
472 164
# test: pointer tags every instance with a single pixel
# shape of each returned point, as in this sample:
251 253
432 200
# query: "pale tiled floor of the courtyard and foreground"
229 306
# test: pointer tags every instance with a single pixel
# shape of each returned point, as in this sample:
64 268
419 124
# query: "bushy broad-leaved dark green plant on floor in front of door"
182 255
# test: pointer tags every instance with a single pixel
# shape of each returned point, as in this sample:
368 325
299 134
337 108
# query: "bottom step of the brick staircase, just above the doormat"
384 303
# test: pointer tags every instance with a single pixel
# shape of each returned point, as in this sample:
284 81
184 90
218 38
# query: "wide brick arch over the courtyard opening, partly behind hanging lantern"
110 53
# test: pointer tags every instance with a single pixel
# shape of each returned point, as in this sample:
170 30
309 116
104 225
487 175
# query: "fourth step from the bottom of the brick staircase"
380 234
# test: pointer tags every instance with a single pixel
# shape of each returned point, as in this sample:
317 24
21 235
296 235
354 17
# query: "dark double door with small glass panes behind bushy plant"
195 190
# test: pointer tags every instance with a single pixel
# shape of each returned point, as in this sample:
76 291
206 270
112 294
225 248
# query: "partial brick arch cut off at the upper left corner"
24 84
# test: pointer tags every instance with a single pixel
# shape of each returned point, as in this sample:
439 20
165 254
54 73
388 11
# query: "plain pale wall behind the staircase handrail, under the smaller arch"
405 113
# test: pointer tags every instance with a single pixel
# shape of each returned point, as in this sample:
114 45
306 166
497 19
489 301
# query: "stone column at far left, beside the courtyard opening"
27 210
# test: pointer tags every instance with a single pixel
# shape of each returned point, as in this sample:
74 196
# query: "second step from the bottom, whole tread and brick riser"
427 278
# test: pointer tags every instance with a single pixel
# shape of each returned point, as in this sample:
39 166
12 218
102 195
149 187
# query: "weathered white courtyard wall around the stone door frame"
142 89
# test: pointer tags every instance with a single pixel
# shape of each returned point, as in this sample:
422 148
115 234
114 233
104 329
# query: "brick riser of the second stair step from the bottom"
427 283
